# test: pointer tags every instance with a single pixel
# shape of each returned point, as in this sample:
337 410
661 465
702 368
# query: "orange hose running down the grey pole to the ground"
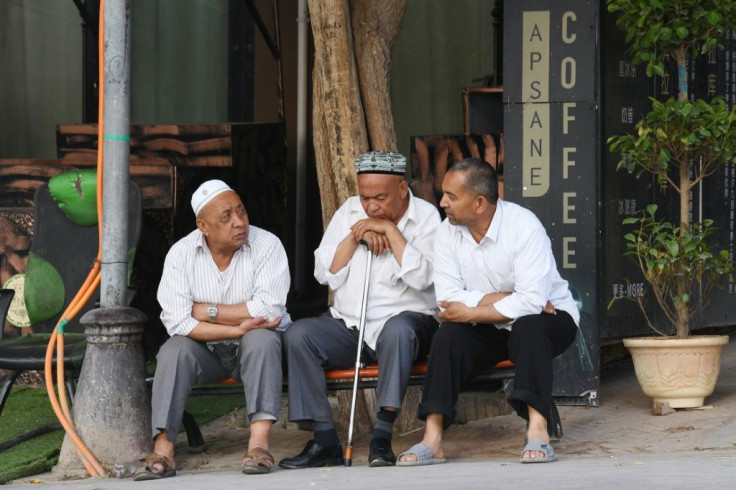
91 283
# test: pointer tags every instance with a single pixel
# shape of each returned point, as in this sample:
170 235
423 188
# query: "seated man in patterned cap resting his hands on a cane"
398 229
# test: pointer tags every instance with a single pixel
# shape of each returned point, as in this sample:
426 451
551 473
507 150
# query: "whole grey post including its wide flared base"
111 409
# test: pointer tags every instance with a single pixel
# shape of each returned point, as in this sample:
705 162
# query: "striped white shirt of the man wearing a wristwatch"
258 276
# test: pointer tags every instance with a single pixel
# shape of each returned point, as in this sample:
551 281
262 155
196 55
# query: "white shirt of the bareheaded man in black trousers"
514 255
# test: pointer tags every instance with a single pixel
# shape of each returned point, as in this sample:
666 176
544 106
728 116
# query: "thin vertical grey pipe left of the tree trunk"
301 146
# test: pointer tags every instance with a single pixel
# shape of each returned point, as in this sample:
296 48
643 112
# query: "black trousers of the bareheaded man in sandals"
460 351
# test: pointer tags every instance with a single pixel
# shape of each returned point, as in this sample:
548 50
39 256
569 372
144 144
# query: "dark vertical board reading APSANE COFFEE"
552 154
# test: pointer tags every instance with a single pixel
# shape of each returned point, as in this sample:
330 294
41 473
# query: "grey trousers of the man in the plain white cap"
183 363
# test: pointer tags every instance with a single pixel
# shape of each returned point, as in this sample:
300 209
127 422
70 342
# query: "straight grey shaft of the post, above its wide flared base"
116 156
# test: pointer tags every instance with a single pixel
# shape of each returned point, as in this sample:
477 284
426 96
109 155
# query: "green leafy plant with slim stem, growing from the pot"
680 142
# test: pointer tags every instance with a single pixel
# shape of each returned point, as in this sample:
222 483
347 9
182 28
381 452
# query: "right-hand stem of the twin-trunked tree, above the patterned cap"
375 29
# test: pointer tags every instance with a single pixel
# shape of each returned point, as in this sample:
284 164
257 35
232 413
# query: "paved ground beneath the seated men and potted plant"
617 445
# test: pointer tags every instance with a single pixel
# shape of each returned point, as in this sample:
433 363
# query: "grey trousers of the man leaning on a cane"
313 344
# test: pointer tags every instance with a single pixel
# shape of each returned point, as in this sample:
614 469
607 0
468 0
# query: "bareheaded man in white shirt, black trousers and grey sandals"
494 271
